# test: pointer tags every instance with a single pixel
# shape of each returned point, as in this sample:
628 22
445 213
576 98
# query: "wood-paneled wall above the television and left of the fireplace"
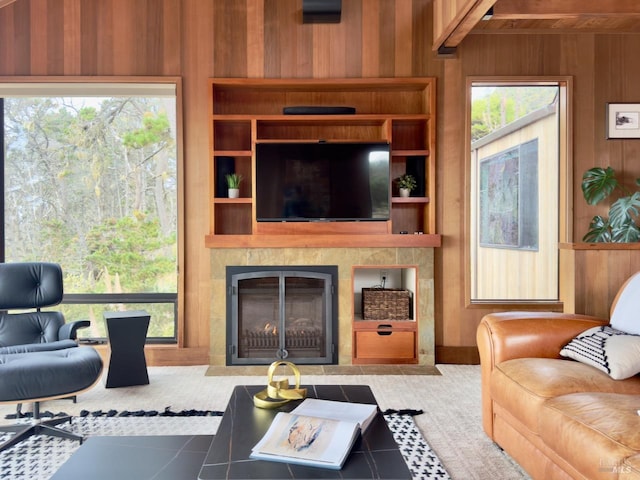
198 39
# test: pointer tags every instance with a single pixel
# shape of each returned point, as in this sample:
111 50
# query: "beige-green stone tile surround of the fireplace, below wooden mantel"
345 259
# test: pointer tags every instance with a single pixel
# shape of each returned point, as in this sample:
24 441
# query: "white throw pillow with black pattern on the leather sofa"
605 348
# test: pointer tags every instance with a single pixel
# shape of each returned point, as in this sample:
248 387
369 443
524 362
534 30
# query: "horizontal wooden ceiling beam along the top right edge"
554 9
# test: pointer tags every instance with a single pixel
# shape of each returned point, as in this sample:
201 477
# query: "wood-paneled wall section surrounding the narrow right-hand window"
604 70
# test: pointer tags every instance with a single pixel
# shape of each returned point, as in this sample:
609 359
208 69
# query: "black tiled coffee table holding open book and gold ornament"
374 455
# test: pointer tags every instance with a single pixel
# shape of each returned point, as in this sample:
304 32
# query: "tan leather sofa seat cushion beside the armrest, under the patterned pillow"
522 385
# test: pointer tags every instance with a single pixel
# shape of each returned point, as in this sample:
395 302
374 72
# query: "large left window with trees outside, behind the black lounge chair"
90 181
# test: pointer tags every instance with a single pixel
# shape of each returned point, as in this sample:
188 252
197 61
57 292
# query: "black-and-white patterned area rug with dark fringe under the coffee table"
38 458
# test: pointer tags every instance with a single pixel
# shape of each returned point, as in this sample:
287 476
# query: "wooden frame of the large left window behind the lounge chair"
23 84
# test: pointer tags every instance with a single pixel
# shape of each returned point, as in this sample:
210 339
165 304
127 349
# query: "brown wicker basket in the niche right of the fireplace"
386 304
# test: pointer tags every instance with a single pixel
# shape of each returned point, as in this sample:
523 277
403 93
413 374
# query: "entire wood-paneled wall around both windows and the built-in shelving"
197 39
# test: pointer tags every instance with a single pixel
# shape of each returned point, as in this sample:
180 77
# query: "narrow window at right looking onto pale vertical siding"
518 164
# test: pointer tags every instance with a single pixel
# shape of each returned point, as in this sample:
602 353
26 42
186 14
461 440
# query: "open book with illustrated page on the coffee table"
318 433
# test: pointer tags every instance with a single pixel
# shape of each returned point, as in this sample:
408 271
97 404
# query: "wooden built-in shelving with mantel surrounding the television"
248 111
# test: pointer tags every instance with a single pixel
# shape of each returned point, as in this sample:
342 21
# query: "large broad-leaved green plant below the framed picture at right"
621 226
